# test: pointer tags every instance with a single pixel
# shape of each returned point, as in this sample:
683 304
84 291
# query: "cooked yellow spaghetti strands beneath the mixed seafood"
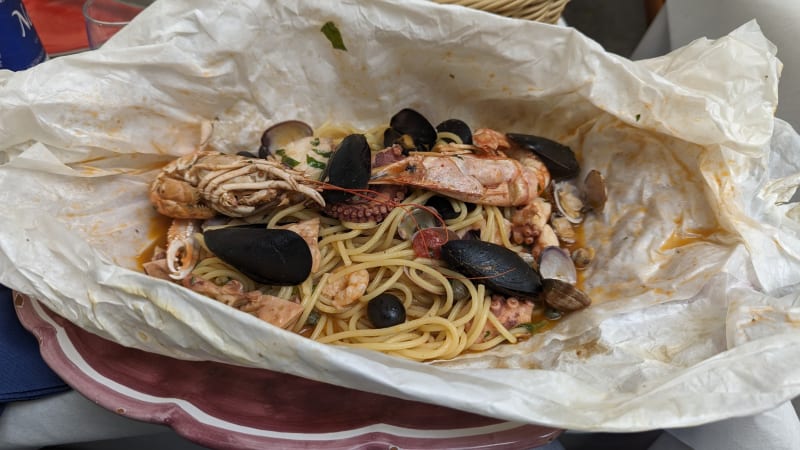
446 313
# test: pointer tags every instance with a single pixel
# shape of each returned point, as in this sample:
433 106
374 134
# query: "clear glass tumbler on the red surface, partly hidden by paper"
105 17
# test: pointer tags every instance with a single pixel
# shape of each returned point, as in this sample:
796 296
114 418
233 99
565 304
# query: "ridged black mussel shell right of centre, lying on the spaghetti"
500 269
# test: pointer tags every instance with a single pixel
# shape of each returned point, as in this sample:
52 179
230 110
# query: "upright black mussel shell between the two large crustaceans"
349 168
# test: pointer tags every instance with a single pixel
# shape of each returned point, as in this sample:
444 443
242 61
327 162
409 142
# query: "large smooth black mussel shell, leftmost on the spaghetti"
269 256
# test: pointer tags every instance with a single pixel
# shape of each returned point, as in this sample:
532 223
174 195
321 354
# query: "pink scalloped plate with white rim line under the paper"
230 407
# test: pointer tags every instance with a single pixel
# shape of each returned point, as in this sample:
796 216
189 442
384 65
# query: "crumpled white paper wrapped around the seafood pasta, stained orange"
695 284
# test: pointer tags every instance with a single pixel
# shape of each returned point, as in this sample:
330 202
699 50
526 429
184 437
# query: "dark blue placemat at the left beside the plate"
23 373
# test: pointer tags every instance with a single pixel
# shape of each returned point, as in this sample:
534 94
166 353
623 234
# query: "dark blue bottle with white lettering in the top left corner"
20 46
